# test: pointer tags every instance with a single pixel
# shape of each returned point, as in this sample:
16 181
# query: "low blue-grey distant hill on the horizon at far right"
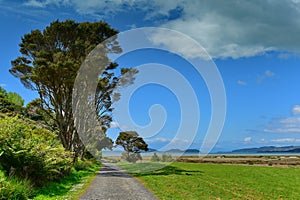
269 149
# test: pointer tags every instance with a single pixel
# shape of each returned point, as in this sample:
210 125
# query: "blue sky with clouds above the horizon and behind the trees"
254 44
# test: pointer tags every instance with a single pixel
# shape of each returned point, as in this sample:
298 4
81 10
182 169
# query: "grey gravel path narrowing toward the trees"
113 183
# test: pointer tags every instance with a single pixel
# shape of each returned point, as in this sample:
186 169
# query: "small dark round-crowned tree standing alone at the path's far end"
132 144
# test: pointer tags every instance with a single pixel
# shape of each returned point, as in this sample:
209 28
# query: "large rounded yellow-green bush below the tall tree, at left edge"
29 152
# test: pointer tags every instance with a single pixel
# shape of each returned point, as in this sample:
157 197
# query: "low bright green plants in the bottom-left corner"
13 188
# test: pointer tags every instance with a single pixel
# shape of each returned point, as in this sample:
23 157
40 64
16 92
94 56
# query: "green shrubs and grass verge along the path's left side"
34 164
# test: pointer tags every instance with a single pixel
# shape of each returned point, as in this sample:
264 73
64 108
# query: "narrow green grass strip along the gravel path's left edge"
72 186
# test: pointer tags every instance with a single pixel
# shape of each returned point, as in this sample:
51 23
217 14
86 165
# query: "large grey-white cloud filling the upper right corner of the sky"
235 29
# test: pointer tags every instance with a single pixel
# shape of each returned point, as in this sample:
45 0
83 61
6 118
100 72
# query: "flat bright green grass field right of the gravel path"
215 181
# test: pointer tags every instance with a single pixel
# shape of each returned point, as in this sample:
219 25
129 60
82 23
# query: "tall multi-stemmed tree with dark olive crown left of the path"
49 64
